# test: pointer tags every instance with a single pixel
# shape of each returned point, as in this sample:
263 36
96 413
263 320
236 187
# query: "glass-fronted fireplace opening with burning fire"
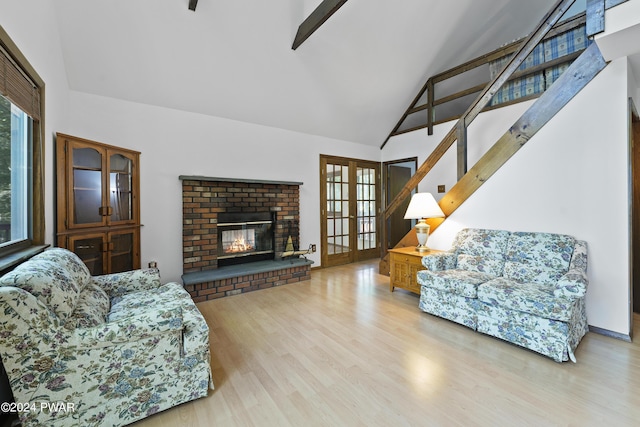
245 237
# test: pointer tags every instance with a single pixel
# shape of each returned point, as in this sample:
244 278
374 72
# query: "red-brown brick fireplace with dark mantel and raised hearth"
239 214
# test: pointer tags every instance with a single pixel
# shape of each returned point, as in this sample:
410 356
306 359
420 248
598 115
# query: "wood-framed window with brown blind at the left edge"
21 157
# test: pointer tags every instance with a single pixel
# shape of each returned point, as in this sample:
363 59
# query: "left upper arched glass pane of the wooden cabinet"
87 185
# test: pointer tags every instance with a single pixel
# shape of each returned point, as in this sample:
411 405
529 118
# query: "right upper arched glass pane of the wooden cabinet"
120 188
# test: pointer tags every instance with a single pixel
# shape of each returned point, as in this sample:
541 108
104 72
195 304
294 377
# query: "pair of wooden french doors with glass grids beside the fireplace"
350 207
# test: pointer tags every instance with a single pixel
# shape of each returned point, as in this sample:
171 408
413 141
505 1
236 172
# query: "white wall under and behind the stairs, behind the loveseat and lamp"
571 177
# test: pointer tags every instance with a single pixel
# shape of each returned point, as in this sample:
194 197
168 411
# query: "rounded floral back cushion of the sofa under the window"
49 282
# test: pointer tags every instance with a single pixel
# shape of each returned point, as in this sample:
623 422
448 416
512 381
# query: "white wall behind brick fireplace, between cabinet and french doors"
175 143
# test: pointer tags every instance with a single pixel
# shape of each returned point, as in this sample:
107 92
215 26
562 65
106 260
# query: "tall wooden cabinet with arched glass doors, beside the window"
98 205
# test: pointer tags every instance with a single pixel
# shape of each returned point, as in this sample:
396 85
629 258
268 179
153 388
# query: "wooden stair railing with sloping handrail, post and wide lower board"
583 69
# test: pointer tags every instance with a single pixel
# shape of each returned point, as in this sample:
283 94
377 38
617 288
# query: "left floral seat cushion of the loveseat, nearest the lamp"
460 282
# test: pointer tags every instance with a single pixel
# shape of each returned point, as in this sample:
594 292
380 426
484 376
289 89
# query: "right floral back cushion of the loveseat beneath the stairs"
538 257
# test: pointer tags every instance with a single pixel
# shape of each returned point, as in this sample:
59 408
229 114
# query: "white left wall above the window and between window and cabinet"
30 25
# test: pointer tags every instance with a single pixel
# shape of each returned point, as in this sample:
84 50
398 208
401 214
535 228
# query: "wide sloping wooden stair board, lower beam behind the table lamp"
576 77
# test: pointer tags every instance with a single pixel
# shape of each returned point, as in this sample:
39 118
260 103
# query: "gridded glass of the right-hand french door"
366 217
